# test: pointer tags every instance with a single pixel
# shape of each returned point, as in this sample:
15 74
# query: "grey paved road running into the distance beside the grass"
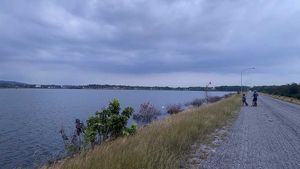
266 137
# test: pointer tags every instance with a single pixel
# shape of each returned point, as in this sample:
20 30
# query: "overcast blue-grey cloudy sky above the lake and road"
150 42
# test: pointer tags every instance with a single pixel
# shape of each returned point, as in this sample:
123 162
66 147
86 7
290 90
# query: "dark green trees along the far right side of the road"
288 90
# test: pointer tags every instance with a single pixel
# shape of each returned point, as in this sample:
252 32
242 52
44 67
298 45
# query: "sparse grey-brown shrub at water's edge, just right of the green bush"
147 113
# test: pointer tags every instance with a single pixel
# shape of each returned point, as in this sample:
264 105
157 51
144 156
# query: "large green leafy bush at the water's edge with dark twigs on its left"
105 125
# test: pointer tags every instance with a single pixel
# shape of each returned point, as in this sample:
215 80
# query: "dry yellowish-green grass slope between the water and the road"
161 144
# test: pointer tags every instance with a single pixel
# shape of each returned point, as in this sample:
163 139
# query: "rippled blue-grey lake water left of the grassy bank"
31 118
